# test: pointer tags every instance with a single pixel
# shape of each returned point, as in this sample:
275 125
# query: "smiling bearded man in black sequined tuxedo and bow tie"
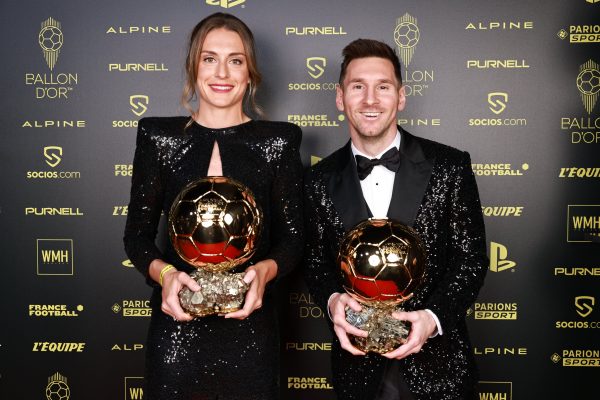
426 185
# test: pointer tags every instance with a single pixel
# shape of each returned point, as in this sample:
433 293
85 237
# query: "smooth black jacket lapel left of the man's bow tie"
345 191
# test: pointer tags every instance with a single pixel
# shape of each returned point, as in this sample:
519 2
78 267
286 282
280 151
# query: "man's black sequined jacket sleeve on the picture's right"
466 251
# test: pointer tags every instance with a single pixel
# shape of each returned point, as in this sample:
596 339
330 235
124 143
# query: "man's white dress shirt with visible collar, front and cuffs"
377 190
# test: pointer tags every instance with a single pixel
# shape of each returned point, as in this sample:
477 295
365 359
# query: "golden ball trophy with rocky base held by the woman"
214 224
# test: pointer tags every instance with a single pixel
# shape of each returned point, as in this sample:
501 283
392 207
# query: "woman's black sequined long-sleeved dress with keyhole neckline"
212 357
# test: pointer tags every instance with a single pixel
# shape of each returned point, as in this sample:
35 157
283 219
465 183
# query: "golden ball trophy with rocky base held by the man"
382 263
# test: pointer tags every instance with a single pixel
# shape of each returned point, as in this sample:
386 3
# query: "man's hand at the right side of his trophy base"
423 326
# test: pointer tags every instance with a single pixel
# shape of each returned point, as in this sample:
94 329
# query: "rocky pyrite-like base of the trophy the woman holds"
220 293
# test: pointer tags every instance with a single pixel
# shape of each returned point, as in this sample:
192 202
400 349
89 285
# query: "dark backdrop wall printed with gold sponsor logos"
514 83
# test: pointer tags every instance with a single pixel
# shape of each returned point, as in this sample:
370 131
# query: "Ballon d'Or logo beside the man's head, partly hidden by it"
406 36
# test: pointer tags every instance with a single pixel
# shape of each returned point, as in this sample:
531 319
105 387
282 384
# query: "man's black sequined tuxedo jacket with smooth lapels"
434 192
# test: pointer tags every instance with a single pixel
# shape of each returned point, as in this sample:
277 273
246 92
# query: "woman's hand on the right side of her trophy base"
257 275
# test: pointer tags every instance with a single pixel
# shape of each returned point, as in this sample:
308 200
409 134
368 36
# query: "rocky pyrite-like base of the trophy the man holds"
386 333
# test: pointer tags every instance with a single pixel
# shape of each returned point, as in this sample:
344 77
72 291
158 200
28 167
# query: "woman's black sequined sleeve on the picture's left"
144 210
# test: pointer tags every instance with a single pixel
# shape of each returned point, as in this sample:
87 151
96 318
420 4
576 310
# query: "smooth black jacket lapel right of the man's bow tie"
411 180
